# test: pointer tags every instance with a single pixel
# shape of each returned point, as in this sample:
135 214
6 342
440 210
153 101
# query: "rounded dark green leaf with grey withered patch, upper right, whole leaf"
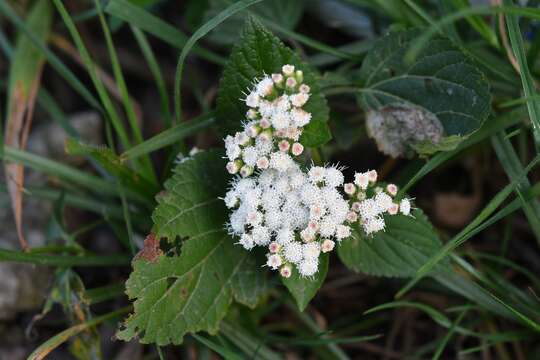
425 106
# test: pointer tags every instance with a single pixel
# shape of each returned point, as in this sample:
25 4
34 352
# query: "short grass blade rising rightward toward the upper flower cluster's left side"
171 136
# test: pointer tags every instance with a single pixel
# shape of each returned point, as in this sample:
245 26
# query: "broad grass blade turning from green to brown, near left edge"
24 80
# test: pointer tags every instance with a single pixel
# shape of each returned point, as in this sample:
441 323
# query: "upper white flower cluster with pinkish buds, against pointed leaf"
275 123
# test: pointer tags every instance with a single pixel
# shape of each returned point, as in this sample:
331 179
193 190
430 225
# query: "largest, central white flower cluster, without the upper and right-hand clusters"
296 215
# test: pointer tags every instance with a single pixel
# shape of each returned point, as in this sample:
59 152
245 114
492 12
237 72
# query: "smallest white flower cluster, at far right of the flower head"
370 202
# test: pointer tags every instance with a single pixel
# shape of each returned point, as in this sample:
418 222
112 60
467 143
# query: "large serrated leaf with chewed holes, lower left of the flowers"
192 291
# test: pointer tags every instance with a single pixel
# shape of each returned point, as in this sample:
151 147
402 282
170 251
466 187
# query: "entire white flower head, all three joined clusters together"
296 215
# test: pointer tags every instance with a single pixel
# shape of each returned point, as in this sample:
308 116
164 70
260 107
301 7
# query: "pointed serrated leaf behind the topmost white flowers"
259 52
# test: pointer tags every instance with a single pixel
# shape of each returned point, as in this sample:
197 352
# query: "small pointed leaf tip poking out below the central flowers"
303 289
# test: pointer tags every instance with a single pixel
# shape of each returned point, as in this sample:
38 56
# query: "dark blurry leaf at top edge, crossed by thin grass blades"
284 12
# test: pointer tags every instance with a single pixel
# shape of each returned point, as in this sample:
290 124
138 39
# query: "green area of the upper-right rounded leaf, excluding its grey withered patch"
441 82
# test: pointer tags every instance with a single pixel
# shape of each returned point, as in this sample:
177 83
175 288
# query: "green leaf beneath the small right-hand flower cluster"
405 245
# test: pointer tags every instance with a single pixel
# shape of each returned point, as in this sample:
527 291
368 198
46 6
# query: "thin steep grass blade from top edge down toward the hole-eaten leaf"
145 163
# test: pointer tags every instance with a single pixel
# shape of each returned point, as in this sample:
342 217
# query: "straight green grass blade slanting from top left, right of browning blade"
112 114
